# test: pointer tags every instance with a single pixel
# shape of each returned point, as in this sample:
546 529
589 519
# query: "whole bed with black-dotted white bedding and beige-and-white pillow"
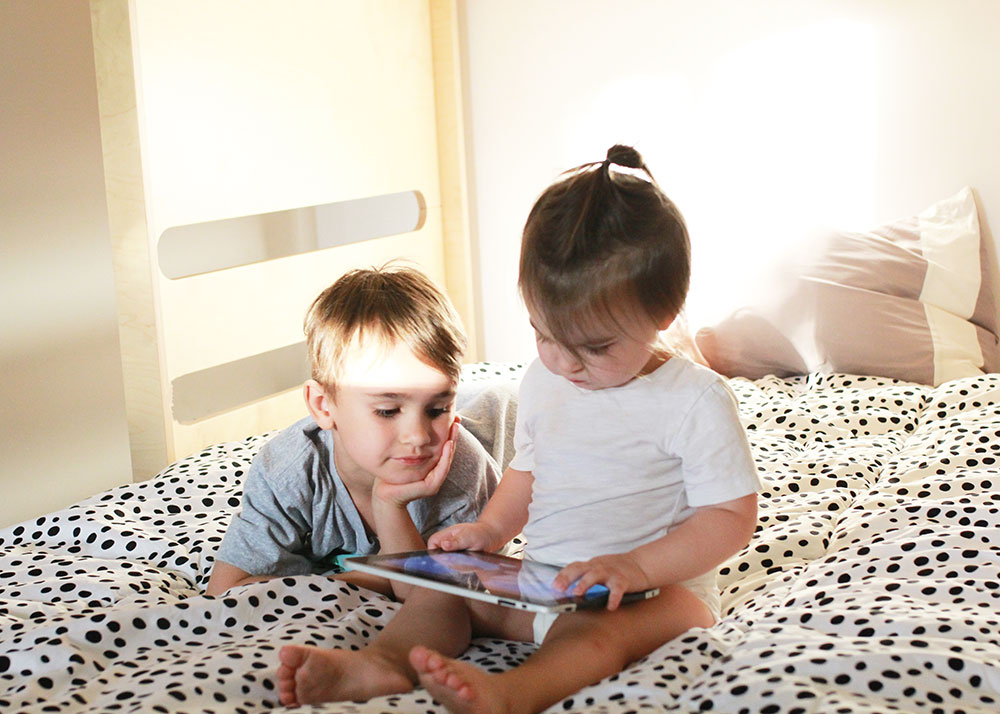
870 394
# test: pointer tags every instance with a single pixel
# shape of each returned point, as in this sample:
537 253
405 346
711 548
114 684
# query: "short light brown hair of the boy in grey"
391 304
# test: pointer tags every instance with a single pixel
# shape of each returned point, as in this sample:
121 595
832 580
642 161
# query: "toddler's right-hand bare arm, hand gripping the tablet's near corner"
709 536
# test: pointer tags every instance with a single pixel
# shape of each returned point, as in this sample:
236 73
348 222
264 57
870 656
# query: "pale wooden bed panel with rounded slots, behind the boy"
224 110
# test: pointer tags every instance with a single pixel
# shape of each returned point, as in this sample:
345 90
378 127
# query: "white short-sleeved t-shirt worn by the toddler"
616 468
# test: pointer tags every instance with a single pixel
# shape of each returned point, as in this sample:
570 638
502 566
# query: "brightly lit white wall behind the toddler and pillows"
763 120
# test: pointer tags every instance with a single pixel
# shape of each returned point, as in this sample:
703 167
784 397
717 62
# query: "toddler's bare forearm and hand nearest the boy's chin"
503 517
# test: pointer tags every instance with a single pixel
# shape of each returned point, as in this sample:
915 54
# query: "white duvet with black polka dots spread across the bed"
872 583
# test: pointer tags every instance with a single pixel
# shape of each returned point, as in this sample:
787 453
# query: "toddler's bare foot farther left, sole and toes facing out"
311 675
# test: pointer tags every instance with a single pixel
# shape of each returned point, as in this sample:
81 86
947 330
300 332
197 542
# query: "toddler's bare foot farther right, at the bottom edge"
460 686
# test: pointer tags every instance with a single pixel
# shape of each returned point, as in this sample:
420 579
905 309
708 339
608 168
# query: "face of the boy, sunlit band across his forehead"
391 415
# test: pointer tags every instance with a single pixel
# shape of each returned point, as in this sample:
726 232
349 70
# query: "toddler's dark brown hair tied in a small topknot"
601 240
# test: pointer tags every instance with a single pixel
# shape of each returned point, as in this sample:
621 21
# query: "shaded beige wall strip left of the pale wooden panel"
63 434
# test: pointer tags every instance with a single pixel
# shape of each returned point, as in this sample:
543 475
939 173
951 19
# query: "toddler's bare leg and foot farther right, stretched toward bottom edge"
580 649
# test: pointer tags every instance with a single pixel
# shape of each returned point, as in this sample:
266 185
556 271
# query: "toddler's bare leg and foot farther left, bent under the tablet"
311 675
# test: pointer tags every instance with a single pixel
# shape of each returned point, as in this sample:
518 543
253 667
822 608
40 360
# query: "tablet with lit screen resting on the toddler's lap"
511 582
